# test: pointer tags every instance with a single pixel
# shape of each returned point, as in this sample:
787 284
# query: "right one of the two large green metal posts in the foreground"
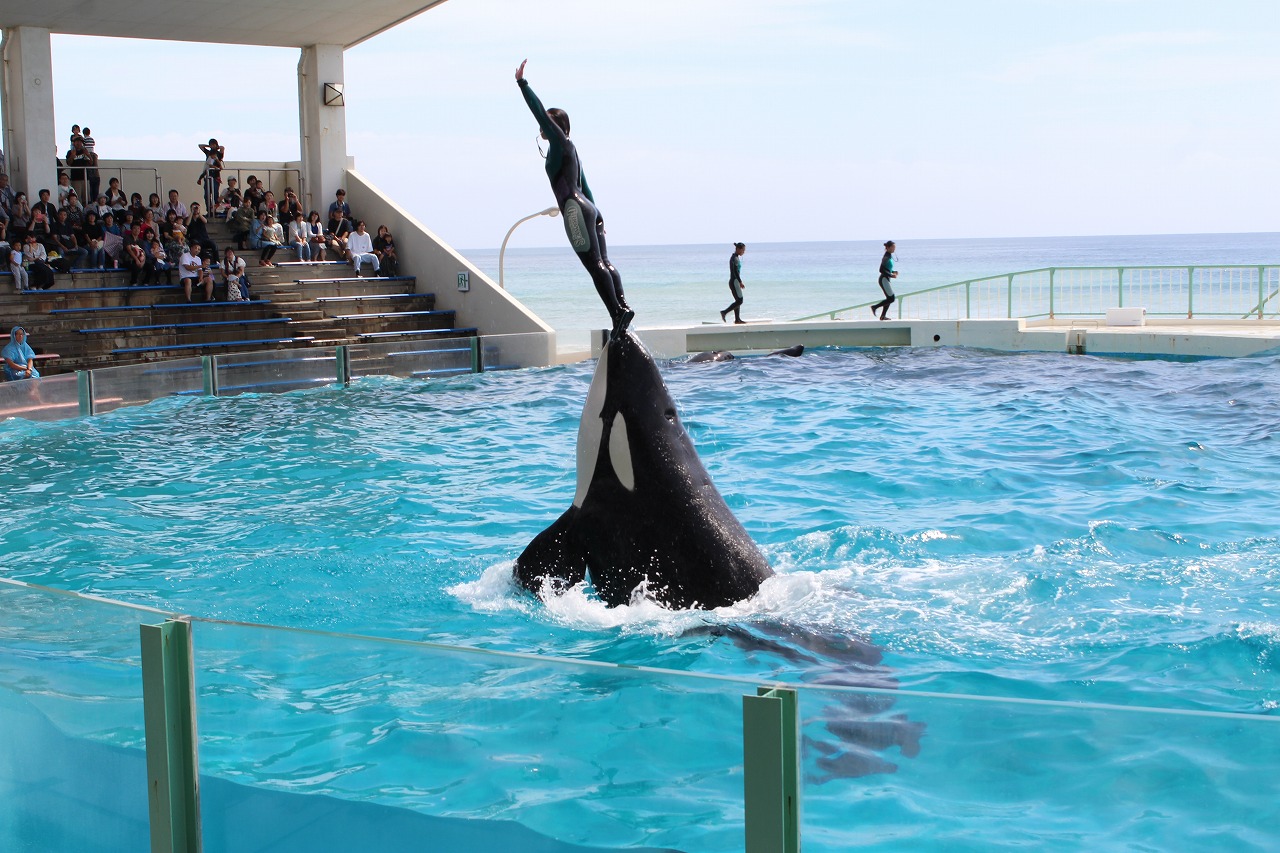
771 772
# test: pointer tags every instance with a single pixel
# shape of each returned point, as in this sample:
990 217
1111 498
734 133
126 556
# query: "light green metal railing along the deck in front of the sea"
1235 291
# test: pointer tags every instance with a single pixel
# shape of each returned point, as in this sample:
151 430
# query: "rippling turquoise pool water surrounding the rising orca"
1026 527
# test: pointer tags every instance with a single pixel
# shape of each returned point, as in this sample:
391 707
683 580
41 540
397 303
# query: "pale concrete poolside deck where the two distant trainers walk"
1159 337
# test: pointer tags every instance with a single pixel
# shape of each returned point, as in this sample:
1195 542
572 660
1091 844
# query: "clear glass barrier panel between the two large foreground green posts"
307 740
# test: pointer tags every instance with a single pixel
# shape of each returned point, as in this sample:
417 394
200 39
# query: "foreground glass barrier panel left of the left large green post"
72 738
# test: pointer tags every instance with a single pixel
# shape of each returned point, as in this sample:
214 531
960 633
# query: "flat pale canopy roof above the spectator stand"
275 24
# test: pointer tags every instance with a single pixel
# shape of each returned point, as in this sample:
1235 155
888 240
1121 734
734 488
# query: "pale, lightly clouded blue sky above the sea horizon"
708 121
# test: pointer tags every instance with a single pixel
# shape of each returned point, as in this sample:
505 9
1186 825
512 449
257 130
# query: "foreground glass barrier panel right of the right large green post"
892 772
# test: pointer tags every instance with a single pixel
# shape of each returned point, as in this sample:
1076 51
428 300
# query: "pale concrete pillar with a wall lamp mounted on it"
323 127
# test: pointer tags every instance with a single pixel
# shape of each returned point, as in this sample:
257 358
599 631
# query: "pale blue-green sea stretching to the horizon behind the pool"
689 285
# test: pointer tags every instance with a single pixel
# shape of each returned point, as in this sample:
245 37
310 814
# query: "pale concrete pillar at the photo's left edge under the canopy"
31 145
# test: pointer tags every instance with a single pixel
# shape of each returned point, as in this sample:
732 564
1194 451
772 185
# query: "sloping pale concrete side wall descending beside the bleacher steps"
437 266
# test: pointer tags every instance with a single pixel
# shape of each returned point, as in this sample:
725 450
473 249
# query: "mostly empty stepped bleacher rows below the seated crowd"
94 320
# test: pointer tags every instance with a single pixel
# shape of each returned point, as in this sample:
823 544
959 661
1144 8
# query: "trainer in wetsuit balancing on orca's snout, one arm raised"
583 221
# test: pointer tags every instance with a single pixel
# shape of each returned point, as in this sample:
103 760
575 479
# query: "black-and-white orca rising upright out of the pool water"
646 512
